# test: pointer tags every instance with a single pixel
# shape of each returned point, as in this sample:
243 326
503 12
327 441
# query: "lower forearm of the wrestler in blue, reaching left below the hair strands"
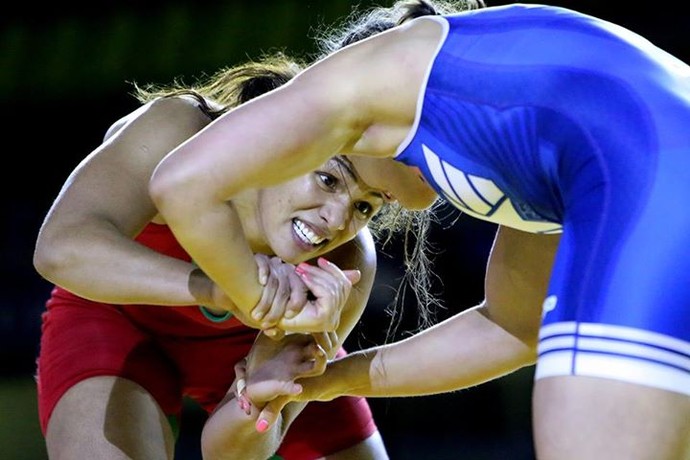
461 352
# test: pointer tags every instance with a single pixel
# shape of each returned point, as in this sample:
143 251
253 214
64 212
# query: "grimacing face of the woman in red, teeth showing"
315 213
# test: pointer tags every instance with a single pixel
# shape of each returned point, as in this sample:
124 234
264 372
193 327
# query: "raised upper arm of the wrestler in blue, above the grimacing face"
280 135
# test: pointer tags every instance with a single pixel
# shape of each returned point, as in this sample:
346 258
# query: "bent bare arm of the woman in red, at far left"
86 242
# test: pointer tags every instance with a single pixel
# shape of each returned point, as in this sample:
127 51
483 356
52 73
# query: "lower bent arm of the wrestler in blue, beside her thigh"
474 346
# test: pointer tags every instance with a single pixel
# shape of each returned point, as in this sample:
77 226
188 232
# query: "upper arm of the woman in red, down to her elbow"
106 195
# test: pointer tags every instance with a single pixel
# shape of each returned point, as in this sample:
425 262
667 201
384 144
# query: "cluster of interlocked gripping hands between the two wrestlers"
299 311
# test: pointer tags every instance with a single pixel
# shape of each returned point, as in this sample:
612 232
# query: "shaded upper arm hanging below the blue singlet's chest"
517 277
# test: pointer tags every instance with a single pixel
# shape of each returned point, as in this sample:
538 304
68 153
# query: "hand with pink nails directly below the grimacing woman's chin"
330 288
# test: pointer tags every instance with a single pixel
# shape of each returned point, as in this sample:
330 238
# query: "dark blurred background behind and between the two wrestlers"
65 74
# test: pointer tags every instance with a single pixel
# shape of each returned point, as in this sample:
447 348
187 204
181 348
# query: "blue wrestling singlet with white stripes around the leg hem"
549 121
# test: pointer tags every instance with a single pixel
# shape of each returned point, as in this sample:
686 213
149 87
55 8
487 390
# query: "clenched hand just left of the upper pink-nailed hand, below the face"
284 294
